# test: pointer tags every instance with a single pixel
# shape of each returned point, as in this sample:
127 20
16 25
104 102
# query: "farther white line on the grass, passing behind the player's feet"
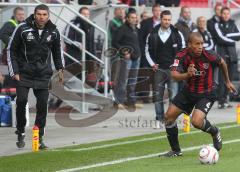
136 141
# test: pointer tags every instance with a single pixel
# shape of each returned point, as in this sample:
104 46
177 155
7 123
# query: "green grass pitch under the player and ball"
68 158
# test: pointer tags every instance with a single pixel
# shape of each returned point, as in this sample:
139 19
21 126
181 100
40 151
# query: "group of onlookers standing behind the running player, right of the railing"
219 33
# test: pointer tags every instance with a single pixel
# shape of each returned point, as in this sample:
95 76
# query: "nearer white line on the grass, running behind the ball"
136 158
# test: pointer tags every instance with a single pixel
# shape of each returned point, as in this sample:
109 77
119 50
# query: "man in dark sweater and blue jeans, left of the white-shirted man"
127 43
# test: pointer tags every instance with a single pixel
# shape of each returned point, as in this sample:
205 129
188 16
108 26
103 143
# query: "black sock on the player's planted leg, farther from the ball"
172 135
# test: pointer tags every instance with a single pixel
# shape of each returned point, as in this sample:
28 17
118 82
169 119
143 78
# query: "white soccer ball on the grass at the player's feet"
208 155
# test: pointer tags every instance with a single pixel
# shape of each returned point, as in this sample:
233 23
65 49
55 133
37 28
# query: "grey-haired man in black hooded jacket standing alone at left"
29 63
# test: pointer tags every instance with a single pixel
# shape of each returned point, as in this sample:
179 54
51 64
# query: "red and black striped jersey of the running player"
203 81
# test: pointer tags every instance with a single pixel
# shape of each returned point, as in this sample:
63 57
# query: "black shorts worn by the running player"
187 102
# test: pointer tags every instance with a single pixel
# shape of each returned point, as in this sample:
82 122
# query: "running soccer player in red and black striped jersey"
196 67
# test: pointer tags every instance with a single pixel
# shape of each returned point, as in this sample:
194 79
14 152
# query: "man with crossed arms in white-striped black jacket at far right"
226 33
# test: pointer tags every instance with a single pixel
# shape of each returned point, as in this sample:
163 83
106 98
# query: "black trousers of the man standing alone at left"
22 99
